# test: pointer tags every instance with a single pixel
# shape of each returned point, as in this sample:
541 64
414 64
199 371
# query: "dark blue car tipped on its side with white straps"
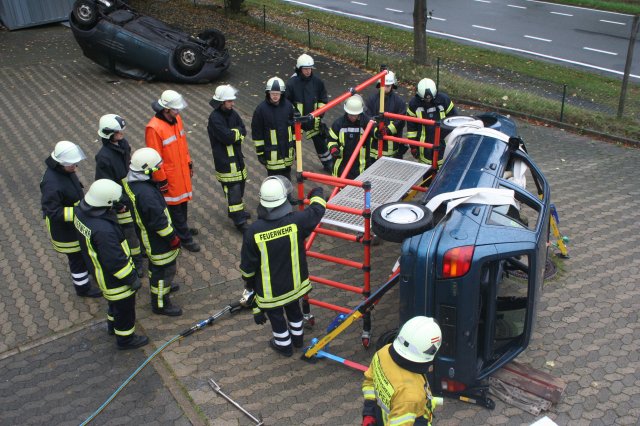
476 266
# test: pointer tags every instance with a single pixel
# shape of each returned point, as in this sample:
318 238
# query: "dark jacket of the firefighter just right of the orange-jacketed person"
226 133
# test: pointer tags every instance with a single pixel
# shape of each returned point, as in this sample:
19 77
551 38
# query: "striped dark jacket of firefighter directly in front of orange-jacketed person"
154 222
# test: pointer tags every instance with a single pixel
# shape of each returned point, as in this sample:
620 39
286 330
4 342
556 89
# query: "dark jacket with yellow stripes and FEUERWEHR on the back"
274 258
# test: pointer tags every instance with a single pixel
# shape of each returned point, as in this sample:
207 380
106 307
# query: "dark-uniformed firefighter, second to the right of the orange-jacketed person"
272 130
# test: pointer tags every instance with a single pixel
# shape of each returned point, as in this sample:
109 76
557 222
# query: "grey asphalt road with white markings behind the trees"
590 39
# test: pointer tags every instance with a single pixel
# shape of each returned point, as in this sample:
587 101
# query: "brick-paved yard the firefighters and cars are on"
57 364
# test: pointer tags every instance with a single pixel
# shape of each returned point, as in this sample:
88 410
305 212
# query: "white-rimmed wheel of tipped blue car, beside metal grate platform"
397 221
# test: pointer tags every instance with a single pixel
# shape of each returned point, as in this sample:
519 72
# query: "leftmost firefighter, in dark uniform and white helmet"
61 190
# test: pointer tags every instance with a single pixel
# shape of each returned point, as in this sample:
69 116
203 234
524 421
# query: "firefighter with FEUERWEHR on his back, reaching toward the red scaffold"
273 261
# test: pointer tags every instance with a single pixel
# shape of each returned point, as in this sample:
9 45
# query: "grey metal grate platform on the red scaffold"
390 179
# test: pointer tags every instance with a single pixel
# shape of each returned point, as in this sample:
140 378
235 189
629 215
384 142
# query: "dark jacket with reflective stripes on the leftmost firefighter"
60 191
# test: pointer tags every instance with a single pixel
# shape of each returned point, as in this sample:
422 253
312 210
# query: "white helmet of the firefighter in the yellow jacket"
418 340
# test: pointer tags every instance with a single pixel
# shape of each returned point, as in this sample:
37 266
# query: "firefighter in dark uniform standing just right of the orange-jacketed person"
226 133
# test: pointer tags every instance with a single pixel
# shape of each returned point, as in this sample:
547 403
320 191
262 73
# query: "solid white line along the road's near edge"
472 40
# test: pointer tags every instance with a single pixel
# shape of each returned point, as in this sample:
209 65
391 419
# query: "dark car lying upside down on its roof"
133 45
